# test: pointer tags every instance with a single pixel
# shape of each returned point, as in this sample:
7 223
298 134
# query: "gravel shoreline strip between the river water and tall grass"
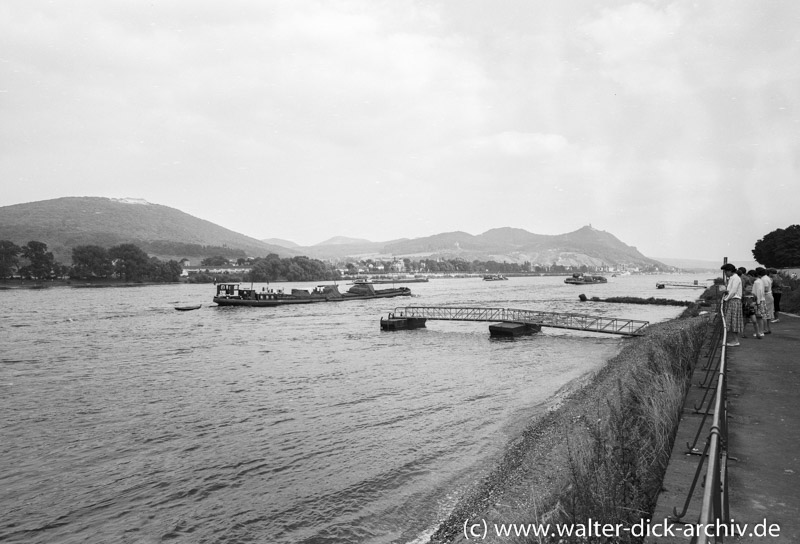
531 481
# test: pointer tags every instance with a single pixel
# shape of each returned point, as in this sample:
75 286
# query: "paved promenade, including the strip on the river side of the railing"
764 439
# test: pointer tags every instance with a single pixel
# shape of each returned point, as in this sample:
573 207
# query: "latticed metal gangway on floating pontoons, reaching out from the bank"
416 316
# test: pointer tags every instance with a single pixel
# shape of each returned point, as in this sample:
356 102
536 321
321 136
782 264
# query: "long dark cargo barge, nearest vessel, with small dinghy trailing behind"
230 294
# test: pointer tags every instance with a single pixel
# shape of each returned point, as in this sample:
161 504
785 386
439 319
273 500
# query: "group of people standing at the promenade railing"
751 296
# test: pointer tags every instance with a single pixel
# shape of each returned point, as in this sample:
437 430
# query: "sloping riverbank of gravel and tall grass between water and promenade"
601 451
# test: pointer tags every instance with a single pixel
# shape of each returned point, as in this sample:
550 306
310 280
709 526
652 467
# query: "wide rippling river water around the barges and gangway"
126 421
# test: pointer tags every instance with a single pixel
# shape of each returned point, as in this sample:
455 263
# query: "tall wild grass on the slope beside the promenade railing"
618 460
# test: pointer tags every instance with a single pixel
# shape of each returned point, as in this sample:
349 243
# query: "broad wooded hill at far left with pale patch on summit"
161 231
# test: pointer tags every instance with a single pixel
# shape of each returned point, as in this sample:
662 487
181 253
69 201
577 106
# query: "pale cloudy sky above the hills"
674 125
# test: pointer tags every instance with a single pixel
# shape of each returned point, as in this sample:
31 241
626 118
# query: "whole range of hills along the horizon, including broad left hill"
165 232
